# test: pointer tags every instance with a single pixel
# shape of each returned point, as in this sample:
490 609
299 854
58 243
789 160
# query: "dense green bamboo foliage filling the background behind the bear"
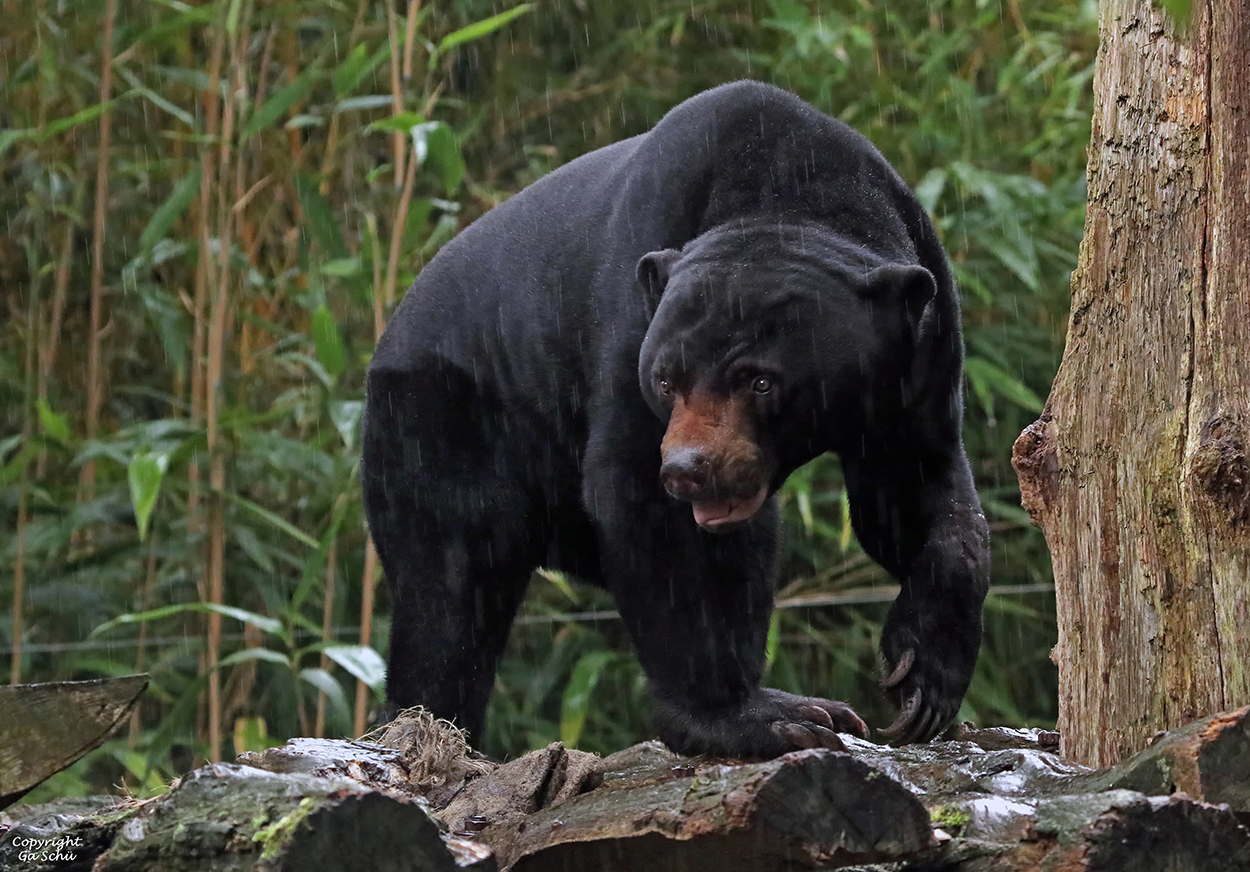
983 107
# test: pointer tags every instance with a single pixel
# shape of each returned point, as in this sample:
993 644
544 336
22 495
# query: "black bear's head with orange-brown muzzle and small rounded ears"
771 344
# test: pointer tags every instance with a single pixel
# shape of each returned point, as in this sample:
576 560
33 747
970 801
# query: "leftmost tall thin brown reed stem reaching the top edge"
94 368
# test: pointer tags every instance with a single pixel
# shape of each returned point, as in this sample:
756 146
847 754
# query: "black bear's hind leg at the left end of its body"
454 525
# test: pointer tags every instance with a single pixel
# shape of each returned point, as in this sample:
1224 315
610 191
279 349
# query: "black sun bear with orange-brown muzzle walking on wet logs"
614 372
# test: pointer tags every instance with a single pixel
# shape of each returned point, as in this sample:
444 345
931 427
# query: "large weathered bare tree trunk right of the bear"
1137 470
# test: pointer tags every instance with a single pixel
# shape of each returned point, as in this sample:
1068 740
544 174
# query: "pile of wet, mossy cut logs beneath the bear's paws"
417 799
